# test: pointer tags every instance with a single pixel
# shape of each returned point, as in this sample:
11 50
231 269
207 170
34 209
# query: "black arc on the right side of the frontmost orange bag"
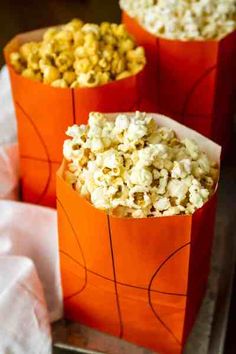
149 291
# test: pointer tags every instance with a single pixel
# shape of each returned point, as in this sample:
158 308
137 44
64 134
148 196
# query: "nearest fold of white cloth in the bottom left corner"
24 319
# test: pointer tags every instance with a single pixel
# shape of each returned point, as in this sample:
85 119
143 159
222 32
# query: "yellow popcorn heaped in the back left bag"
80 55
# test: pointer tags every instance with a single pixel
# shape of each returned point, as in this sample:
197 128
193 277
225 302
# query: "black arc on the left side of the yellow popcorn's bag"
45 150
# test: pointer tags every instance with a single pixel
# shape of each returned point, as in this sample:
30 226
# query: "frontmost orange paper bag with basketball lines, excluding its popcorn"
140 279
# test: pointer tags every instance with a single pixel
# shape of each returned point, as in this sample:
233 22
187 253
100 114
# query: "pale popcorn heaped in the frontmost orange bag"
131 167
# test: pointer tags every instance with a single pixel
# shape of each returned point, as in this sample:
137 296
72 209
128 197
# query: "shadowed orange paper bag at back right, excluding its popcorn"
193 82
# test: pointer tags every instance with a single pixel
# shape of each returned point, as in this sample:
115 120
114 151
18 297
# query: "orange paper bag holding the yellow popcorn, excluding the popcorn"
44 113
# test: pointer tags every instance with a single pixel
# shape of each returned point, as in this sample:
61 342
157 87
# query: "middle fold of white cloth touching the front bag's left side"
31 231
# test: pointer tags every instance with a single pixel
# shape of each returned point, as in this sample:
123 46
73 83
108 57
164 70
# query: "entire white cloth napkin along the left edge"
29 271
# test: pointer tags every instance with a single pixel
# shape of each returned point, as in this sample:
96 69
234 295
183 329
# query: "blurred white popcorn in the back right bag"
184 19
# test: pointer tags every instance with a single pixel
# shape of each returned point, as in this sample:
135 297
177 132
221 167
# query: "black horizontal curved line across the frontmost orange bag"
118 282
